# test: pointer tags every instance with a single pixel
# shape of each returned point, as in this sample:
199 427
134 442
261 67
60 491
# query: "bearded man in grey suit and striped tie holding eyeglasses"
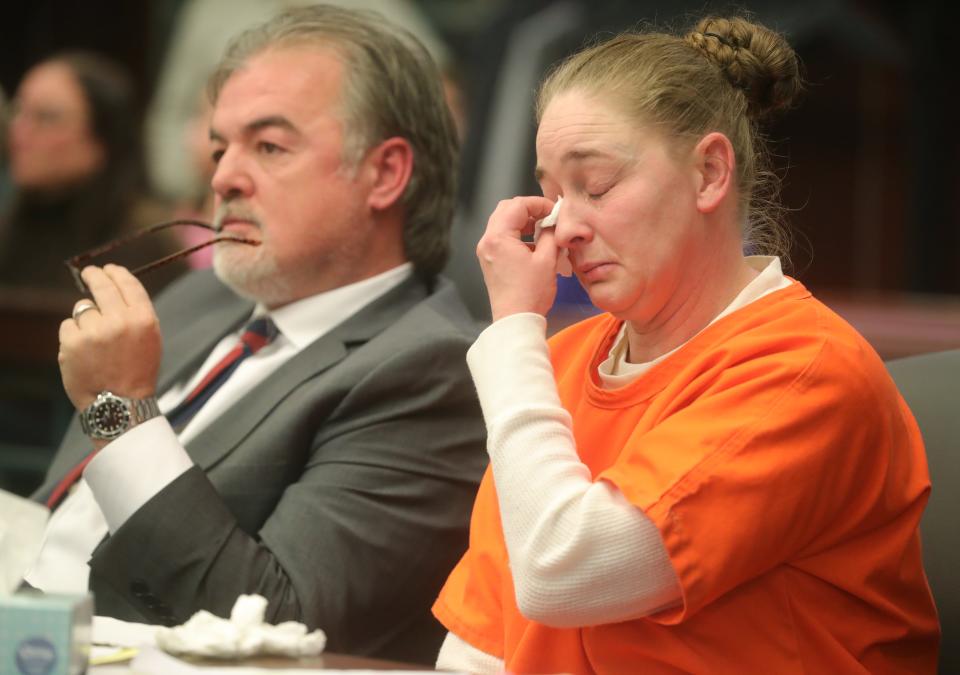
331 466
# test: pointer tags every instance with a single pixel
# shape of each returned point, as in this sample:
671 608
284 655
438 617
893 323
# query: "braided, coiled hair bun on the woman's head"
755 59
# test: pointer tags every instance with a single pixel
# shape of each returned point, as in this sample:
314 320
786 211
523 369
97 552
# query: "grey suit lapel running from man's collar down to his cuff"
223 435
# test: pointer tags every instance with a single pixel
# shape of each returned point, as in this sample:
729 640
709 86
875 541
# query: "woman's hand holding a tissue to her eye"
518 278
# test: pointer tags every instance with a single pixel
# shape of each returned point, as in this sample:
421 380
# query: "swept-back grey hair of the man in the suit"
391 87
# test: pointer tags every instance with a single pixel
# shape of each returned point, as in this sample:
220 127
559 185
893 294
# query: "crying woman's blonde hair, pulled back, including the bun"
726 75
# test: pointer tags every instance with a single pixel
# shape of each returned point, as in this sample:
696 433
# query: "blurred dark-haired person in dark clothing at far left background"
75 180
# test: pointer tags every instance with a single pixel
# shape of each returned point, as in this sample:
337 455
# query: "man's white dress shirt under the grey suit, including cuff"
133 468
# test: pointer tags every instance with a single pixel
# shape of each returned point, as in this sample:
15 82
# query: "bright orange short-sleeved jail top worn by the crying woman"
787 478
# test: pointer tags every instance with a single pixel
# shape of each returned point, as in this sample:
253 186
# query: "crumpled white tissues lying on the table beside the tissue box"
243 634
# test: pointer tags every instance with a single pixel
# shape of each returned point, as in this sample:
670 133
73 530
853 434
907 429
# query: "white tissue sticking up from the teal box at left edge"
22 524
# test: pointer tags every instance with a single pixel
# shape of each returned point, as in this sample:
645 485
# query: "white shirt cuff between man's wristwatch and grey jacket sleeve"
133 468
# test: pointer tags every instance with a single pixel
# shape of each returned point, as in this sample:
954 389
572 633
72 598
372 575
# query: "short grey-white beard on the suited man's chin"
251 273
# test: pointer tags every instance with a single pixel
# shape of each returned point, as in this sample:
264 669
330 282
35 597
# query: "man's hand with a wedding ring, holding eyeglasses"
115 346
